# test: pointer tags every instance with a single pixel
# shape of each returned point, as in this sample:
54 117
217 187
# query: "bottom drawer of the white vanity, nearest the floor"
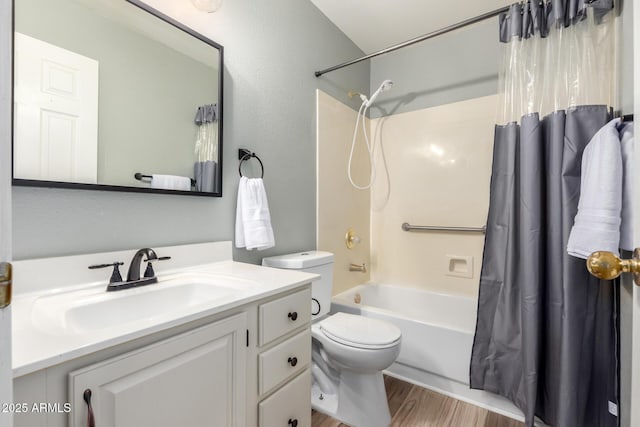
289 404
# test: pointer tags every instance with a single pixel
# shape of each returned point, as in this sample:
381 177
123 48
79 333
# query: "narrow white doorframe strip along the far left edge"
6 376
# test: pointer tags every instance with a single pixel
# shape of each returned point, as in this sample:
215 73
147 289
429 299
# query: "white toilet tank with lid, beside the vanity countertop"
317 262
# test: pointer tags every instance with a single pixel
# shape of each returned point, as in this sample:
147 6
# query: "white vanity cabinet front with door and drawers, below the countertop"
245 366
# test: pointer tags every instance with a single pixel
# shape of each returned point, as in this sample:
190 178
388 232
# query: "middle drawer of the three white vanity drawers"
284 361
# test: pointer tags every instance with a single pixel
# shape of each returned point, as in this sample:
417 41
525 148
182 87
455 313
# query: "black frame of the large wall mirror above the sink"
121 188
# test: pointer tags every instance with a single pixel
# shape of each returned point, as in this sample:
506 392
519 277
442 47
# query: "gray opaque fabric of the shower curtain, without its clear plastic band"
546 330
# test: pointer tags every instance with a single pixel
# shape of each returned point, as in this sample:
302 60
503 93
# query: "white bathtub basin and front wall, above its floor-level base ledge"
437 329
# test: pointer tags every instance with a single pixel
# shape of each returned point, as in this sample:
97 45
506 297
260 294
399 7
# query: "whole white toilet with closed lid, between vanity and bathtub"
349 351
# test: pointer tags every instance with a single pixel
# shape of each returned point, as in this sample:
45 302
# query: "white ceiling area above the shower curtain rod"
376 24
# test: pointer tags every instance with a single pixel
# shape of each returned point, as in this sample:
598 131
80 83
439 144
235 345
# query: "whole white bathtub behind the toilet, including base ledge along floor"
437 336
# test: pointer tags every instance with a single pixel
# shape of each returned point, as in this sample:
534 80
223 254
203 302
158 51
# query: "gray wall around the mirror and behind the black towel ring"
271 51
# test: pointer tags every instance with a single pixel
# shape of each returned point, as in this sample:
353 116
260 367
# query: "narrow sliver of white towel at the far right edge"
626 145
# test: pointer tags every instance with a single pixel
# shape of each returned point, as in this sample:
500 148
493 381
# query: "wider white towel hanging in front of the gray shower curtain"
597 223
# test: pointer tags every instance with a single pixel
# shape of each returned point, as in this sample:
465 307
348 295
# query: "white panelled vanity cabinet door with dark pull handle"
193 379
